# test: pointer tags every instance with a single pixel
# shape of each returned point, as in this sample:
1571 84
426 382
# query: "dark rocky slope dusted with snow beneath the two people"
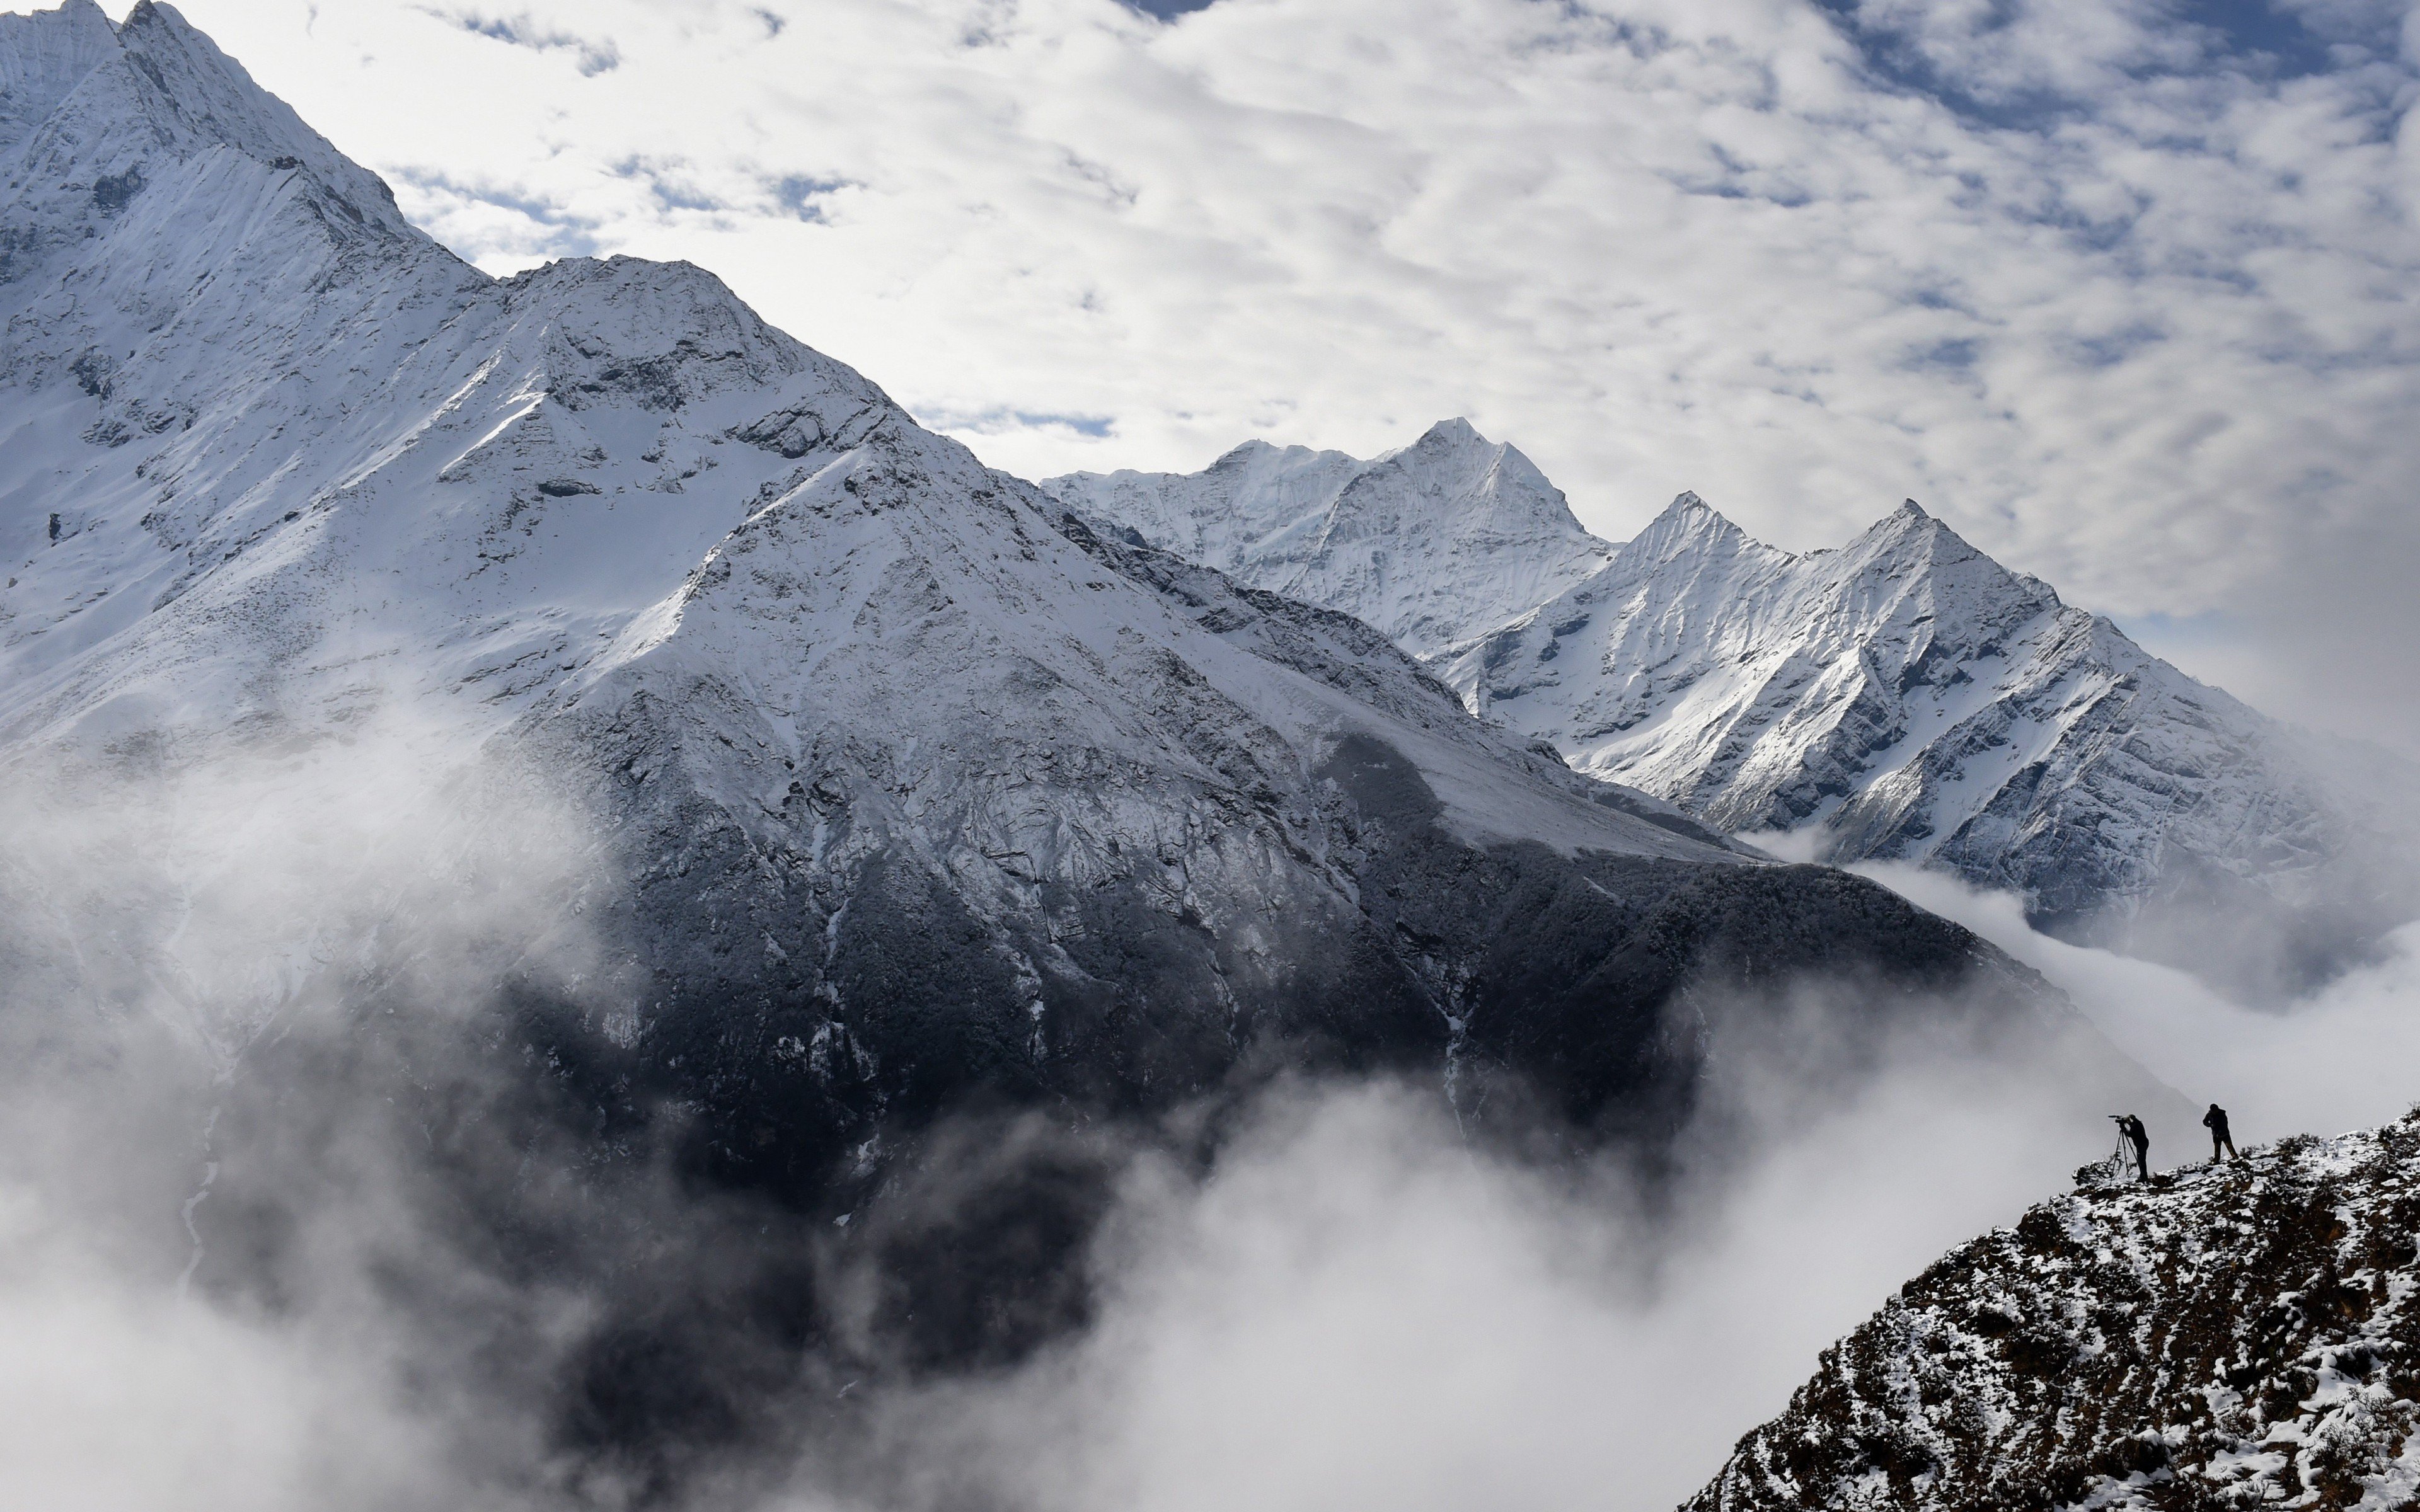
2230 1337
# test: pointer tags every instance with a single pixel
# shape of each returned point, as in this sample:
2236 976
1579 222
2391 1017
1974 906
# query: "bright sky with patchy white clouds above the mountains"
2121 289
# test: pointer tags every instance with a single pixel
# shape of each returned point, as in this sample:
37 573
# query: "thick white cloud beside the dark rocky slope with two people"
1359 1308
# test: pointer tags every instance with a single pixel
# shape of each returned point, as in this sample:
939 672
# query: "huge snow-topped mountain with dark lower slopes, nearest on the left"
904 783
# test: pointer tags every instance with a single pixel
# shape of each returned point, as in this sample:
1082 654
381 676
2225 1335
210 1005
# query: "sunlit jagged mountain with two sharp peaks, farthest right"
1908 698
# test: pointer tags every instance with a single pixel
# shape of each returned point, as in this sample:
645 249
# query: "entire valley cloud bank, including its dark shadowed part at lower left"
432 1264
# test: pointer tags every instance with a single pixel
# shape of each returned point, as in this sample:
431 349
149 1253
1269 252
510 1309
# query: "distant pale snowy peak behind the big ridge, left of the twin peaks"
1431 543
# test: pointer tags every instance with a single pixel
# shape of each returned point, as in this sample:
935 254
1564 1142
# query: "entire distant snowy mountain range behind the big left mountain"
1903 698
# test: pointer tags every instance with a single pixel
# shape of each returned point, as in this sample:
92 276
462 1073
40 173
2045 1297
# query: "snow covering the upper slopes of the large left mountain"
313 468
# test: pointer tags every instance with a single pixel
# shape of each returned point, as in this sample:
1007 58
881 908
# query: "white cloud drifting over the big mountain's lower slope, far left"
204 1286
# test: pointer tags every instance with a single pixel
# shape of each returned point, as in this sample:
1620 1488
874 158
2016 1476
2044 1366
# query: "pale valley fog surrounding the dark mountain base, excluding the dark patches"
1354 1310
